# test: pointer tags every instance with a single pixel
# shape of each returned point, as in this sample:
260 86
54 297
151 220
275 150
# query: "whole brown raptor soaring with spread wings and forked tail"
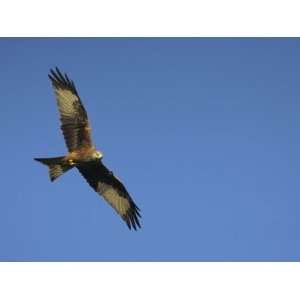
82 151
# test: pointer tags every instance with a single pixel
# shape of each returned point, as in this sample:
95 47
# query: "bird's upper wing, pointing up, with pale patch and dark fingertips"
73 116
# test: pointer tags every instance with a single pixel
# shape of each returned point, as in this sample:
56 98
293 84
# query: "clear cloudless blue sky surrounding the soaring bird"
204 133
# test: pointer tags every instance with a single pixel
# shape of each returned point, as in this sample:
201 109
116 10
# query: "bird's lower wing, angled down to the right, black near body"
113 191
